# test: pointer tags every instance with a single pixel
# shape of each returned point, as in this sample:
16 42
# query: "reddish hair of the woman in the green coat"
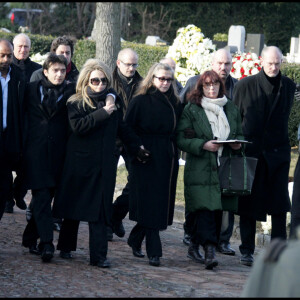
196 95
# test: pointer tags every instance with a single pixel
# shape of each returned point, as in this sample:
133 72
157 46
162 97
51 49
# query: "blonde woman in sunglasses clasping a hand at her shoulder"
89 174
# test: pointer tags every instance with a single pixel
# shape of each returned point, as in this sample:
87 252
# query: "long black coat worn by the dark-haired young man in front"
46 137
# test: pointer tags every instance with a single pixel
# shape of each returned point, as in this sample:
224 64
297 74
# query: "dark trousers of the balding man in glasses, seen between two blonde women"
121 204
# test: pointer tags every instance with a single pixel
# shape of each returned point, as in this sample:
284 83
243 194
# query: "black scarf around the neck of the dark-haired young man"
51 93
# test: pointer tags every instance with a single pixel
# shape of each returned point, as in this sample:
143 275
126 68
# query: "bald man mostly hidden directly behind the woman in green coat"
221 64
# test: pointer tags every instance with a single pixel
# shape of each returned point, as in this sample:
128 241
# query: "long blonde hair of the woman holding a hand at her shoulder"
82 84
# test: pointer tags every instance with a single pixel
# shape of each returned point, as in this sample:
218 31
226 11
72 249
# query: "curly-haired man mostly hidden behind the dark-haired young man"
62 45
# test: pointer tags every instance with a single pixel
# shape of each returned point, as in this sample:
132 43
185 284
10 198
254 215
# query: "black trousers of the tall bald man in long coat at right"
248 230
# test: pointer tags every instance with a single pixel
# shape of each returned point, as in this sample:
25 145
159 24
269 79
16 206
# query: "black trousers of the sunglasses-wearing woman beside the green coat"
153 242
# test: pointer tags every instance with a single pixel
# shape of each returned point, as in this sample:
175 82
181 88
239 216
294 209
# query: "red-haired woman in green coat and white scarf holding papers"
212 117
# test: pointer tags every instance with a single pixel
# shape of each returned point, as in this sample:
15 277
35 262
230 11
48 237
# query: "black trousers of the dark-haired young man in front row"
40 225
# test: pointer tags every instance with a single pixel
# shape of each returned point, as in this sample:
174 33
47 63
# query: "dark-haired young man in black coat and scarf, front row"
44 153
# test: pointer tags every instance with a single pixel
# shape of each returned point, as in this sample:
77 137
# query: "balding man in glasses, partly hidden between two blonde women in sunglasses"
125 81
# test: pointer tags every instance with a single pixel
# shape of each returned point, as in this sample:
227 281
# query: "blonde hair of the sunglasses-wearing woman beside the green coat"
147 82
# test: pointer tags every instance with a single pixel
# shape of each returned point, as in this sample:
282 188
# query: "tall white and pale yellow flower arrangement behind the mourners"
192 52
